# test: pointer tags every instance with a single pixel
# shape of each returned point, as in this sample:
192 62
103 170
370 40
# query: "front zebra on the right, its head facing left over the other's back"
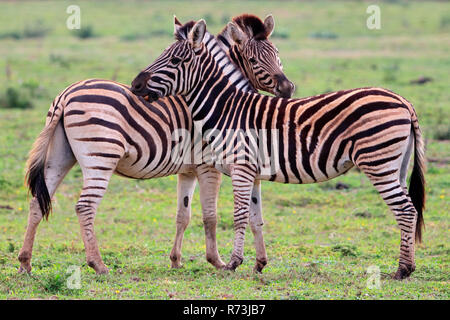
318 138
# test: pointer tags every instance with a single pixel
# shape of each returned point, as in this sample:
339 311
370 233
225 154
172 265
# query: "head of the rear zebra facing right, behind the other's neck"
256 55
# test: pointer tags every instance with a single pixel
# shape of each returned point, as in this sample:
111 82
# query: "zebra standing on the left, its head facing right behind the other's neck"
106 129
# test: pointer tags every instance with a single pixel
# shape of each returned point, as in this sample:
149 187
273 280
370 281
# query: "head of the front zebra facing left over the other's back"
178 68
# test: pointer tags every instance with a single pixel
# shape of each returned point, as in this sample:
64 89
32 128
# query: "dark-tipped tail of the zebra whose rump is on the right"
417 181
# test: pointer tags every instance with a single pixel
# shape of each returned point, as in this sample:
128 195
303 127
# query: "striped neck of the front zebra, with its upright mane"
220 76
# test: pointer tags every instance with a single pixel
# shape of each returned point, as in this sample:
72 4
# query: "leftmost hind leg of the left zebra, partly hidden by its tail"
60 160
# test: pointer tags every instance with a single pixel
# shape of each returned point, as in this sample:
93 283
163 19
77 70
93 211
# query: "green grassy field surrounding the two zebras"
320 241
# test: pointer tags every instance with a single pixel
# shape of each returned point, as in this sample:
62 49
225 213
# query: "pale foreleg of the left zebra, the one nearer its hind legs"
186 187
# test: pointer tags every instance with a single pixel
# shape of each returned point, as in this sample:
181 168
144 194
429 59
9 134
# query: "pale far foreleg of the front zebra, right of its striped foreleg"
256 223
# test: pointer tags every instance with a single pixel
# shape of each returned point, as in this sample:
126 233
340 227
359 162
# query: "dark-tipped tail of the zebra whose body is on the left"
35 175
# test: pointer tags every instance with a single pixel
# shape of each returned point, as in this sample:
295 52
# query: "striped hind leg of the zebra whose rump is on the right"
403 209
